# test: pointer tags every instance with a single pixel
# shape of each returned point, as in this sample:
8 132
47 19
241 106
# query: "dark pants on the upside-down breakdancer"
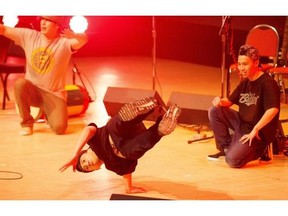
132 138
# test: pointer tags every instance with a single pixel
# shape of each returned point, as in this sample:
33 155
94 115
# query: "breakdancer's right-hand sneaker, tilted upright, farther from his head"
169 120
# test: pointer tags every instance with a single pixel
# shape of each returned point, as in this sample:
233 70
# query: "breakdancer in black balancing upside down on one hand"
123 140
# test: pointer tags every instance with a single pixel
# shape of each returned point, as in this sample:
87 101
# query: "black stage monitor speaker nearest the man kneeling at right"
194 107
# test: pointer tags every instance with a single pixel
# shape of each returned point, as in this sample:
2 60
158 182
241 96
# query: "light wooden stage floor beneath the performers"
173 169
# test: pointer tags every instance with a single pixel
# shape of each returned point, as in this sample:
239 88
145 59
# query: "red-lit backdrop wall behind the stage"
185 38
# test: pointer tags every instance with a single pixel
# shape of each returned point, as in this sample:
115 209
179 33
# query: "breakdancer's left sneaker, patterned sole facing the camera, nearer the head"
130 111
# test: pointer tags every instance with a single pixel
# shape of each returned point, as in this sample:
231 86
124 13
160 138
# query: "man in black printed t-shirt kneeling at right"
255 125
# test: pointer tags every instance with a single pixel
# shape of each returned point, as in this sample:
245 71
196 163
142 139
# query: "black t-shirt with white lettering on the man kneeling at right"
253 99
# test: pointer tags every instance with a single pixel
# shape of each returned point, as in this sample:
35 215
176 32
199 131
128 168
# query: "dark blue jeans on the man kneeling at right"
222 121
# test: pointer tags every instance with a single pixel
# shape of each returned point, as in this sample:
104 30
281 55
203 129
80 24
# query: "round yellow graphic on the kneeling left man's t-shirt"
42 60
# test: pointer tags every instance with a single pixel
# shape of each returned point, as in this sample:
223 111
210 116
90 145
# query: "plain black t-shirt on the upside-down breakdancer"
100 144
